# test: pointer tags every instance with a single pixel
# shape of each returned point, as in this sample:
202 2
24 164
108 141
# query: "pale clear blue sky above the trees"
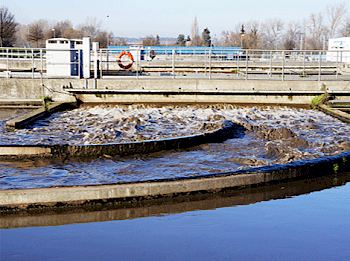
166 18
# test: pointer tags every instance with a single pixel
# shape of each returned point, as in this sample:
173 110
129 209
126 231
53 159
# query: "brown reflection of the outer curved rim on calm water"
165 206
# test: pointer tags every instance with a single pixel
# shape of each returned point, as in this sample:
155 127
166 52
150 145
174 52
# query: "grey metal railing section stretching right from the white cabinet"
229 64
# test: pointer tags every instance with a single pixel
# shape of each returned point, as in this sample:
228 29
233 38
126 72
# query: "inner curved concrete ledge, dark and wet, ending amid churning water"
121 149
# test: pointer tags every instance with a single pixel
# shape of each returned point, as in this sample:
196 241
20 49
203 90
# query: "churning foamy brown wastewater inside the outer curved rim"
269 135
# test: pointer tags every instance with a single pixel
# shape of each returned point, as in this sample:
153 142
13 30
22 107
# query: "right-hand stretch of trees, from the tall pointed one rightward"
311 33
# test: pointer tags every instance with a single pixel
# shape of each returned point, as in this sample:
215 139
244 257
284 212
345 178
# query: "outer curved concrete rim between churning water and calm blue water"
53 197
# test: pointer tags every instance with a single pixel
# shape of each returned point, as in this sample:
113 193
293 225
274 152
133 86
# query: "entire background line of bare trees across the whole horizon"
311 33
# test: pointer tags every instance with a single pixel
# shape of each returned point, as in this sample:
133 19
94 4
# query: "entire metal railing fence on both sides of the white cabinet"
179 63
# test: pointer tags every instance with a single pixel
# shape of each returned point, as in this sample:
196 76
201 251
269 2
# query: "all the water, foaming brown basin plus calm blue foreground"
301 220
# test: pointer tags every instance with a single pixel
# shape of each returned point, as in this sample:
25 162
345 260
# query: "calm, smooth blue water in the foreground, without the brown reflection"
314 226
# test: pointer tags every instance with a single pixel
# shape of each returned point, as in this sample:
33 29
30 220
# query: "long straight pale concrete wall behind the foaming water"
171 90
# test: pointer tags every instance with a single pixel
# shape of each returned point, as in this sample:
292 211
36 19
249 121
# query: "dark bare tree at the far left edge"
7 27
